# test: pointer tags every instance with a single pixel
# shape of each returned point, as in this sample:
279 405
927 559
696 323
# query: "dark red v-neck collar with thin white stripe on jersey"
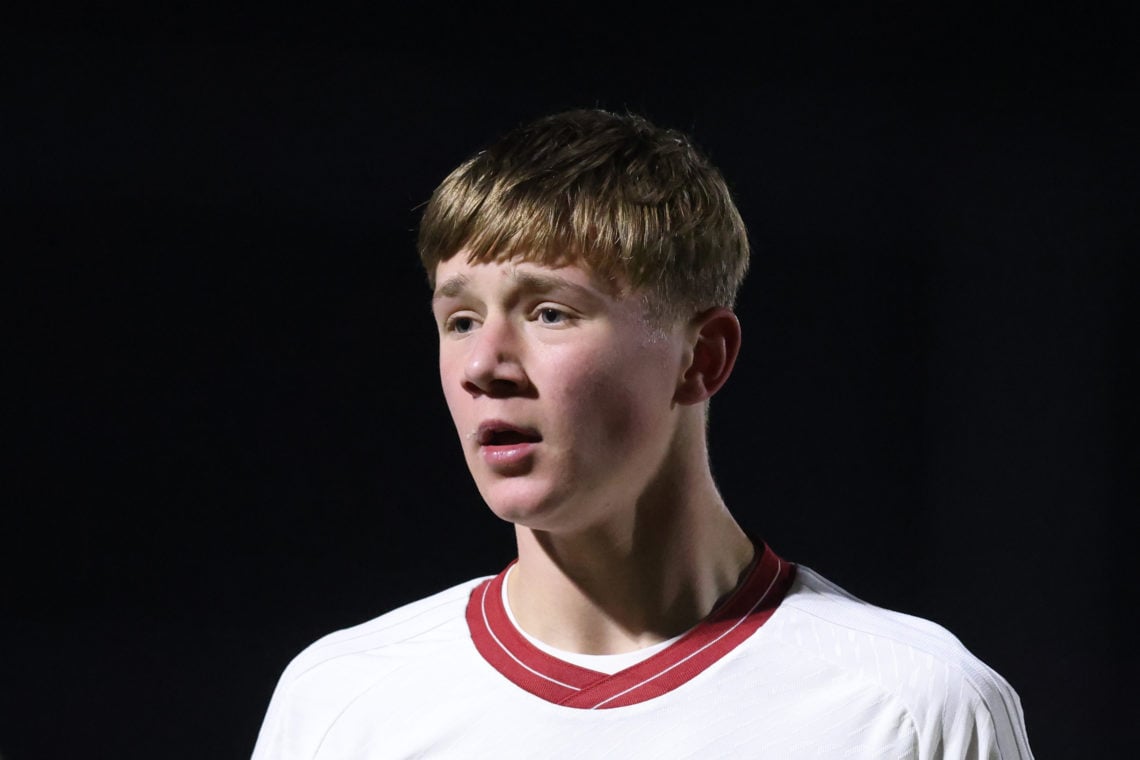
563 683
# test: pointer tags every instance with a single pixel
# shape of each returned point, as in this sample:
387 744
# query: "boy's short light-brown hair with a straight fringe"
637 205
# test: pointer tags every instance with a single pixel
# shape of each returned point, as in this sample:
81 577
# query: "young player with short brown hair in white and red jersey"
584 271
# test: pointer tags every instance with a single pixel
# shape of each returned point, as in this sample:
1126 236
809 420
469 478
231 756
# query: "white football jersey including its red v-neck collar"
788 667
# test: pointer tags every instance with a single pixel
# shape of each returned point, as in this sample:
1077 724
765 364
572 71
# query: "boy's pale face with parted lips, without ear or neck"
561 391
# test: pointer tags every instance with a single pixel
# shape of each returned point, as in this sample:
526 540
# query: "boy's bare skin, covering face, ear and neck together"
598 448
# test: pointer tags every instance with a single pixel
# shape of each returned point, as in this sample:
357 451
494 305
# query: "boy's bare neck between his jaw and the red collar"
632 583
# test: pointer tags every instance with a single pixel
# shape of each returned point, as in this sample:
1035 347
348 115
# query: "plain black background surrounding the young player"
227 434
